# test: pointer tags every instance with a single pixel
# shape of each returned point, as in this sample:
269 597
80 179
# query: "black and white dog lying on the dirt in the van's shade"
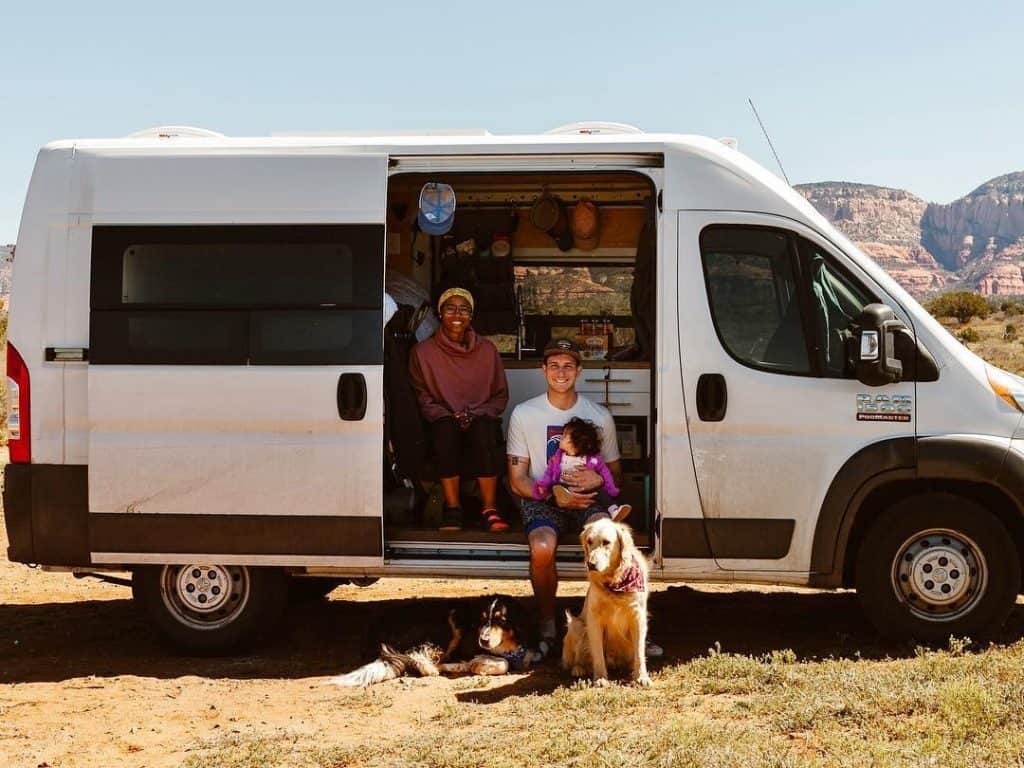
490 636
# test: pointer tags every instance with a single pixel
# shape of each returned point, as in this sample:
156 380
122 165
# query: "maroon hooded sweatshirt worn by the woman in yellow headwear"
450 377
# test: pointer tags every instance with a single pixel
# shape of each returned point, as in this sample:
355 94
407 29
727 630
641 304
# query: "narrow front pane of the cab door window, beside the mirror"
836 302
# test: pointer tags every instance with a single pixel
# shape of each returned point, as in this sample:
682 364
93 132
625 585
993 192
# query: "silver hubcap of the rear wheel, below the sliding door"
205 598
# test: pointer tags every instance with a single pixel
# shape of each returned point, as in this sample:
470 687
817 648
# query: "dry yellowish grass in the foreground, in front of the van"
938 708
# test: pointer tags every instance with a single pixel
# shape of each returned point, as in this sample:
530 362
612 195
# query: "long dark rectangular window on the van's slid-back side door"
224 295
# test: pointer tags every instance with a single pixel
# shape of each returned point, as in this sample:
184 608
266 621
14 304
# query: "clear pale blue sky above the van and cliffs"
920 96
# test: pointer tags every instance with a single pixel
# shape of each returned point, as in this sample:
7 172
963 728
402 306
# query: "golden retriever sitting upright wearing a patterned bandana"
613 629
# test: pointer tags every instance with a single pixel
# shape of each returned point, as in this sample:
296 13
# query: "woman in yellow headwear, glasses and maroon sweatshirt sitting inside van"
461 389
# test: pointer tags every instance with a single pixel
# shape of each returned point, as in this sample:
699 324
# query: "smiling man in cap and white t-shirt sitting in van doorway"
535 432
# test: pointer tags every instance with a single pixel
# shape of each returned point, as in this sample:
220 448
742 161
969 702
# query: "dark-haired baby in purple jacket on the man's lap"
580 448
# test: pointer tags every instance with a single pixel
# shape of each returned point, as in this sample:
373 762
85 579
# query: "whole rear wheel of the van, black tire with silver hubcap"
239 604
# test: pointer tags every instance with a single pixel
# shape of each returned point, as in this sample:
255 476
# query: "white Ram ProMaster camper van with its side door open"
207 392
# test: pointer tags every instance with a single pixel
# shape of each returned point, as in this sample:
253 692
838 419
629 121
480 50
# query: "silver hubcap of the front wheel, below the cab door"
940 575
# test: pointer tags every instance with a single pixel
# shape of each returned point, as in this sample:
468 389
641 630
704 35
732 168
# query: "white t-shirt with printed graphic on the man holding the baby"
536 429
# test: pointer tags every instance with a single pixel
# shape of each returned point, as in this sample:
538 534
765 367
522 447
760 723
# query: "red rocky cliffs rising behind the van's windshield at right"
975 243
